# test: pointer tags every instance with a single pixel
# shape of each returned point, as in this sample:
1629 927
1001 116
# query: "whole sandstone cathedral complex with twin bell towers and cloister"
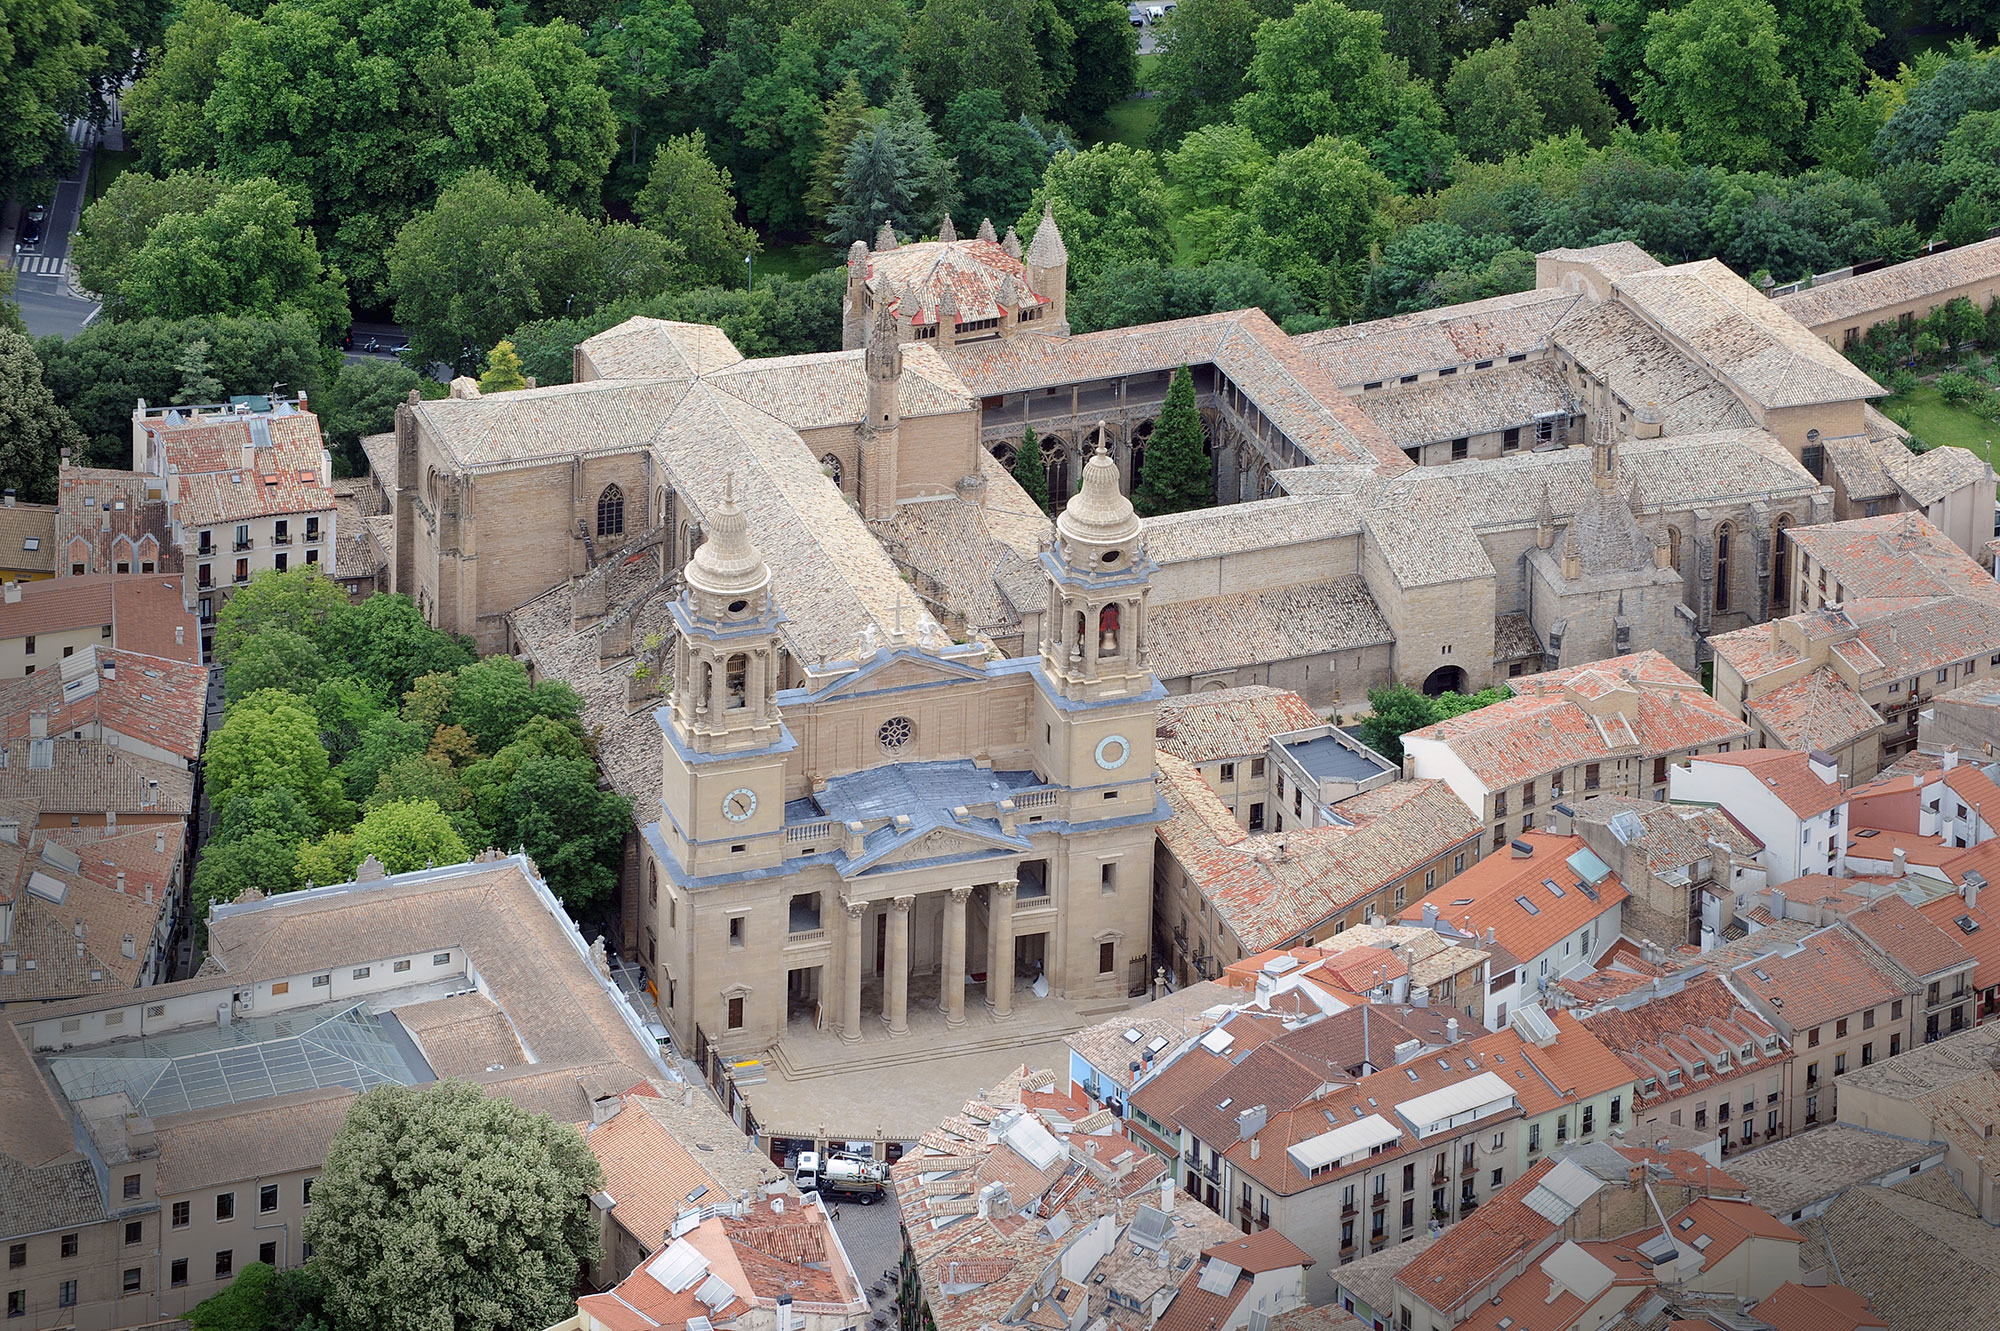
891 728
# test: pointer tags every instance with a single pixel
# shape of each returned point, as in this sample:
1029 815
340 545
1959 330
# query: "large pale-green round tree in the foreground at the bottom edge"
391 1212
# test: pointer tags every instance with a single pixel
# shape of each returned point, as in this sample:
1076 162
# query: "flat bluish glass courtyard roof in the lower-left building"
199 1068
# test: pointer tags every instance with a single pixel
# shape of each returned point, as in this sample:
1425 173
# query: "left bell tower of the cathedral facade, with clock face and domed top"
723 774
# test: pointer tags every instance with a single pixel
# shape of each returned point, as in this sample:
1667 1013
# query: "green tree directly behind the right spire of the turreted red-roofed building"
1111 207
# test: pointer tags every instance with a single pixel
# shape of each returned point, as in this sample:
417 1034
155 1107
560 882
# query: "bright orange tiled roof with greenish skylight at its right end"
1487 896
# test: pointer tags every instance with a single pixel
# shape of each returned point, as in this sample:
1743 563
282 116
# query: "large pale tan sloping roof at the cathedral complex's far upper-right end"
1749 341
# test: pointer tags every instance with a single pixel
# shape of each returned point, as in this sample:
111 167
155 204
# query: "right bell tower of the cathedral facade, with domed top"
1103 694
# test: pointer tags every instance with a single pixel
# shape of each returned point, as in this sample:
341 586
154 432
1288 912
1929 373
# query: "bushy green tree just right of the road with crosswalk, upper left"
247 253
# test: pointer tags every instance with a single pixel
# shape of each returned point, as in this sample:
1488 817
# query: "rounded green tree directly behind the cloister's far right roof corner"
1315 217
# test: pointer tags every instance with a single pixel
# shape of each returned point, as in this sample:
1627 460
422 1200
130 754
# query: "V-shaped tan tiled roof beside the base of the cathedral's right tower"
1269 896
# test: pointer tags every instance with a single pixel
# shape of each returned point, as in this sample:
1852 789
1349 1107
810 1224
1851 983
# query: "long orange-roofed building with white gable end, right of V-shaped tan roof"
1609 728
